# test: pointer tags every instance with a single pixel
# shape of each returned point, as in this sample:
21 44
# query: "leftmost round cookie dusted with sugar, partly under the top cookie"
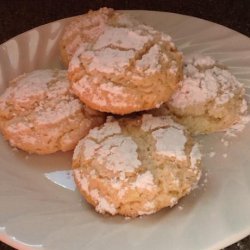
38 114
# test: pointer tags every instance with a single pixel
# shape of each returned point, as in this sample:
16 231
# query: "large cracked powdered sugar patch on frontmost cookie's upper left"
114 151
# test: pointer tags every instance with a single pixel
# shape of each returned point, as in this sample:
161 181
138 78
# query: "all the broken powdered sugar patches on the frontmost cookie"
128 177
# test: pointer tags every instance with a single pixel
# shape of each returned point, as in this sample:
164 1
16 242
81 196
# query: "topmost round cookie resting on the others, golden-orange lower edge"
127 69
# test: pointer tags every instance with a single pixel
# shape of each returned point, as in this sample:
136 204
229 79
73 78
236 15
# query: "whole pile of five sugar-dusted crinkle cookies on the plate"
128 105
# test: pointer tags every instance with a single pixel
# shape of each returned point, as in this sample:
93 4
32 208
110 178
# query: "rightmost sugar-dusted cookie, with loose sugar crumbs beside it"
210 98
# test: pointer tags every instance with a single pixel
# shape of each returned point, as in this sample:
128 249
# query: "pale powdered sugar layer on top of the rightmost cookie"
205 81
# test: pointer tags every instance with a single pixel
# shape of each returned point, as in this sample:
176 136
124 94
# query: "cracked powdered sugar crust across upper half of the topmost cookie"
117 46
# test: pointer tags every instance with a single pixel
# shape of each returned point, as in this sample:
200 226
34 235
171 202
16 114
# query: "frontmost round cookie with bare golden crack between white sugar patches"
136 166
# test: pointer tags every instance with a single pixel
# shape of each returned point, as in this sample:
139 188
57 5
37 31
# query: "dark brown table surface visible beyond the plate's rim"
17 16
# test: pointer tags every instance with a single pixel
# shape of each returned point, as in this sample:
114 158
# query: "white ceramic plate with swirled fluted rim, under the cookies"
37 213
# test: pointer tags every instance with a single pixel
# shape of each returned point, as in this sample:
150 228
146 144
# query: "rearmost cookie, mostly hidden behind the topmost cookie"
88 27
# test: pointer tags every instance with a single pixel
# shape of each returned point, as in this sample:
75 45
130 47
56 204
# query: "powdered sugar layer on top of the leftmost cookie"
44 94
